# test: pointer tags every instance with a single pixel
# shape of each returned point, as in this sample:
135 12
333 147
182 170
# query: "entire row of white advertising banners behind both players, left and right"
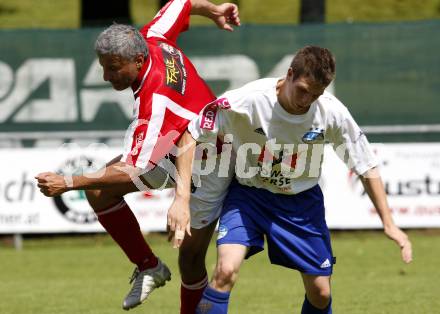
411 174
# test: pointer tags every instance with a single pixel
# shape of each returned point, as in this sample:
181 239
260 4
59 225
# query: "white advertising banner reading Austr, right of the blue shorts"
411 176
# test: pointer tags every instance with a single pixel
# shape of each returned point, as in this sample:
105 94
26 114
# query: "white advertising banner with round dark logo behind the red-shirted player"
23 209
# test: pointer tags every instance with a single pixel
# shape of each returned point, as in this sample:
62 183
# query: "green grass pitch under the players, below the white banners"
89 275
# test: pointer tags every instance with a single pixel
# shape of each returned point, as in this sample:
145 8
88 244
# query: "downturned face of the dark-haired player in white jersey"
301 93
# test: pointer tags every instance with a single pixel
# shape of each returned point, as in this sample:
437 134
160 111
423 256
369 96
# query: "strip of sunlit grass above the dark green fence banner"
66 13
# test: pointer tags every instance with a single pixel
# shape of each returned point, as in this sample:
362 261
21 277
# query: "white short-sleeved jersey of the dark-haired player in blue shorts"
276 150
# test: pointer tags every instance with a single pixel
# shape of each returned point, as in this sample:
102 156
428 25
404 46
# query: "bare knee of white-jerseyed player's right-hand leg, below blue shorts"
318 293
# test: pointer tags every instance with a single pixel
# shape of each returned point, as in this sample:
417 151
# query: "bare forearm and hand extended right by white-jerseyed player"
374 187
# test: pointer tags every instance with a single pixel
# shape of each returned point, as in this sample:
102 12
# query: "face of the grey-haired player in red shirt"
120 72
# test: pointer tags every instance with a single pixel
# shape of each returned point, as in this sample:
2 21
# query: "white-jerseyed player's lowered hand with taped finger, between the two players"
178 222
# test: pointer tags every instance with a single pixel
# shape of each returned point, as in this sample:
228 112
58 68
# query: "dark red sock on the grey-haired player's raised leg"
122 225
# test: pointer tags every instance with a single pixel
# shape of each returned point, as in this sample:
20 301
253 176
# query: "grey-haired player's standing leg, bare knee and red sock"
192 267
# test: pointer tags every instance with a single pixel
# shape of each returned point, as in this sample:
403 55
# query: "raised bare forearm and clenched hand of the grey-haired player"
224 15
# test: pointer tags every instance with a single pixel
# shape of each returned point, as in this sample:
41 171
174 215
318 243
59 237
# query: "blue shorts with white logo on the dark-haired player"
294 225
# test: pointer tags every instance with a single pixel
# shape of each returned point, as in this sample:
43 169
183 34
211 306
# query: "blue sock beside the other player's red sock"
213 302
